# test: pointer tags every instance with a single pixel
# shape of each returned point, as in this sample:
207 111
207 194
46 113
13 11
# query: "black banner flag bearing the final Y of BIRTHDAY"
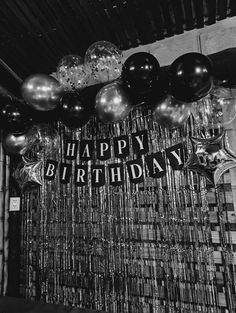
176 155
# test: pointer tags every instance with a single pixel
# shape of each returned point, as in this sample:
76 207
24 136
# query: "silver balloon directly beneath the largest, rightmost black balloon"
171 113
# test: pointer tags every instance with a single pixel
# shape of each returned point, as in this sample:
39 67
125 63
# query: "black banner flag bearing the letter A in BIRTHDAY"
156 165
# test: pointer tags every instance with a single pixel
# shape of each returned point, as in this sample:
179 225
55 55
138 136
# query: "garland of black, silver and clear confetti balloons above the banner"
173 94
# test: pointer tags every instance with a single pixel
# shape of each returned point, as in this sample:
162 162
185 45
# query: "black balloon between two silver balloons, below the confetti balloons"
73 111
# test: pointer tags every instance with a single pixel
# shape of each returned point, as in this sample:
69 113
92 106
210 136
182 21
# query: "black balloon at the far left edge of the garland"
13 116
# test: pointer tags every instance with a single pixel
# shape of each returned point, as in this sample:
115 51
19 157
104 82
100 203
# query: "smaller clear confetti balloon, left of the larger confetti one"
72 73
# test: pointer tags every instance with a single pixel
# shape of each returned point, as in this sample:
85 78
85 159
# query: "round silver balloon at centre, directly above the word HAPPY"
113 103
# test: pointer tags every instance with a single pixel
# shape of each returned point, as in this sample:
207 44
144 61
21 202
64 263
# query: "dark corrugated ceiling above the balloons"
36 34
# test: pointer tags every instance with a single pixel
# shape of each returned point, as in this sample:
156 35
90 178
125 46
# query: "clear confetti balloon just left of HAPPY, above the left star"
43 140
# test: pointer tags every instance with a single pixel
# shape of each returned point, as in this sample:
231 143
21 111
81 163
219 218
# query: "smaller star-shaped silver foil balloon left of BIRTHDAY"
28 173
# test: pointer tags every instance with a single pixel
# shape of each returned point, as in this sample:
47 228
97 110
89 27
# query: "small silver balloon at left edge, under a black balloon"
15 143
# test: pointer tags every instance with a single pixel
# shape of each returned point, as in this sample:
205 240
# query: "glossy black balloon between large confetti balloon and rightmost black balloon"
140 71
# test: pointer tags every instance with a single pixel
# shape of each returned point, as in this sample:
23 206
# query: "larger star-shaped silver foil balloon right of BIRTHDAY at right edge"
211 157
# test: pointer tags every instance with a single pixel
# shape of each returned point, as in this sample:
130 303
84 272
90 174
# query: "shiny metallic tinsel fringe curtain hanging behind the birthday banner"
160 246
